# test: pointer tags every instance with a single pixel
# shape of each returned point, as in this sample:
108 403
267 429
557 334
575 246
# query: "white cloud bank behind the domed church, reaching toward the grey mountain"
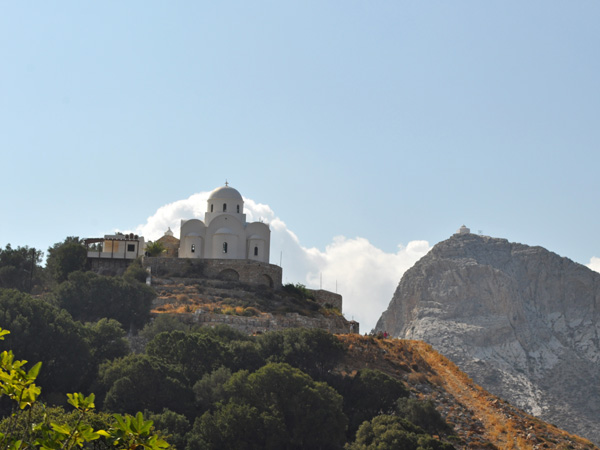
365 275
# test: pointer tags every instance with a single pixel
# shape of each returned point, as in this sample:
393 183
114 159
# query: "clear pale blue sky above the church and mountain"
393 122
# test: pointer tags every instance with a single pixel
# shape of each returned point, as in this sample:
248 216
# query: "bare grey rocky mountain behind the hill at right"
523 322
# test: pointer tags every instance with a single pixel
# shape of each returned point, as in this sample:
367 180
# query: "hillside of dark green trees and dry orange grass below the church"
218 388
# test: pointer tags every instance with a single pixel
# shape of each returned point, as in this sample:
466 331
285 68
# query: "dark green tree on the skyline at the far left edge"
20 268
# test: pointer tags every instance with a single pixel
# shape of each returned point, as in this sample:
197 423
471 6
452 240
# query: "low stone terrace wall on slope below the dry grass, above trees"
269 322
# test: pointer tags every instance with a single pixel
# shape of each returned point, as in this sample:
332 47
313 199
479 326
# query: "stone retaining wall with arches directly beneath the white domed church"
244 270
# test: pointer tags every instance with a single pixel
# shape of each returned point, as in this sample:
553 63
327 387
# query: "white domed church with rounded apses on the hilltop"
224 234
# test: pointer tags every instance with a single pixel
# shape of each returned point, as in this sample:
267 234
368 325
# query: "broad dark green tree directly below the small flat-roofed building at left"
90 297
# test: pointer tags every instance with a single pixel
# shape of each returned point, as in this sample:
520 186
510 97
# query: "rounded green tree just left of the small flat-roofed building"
65 258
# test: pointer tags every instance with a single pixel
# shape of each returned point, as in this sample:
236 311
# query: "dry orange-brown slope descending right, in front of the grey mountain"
479 420
